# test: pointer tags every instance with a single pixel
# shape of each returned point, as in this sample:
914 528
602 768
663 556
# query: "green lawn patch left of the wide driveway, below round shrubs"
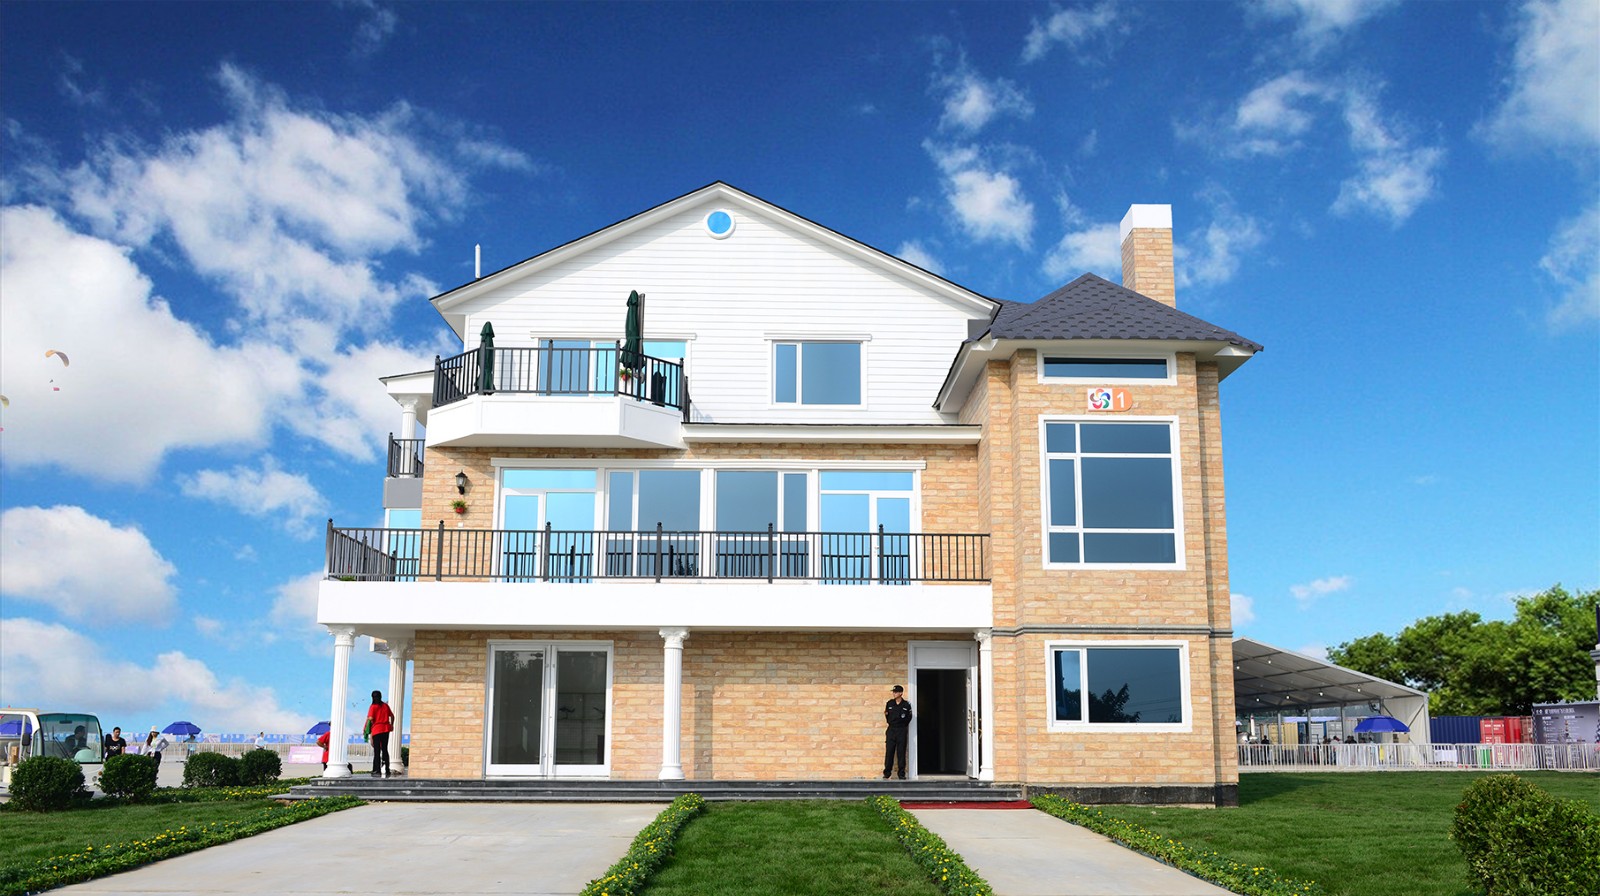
30 838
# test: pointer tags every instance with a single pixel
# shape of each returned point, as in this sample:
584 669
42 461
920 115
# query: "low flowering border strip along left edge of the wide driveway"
111 858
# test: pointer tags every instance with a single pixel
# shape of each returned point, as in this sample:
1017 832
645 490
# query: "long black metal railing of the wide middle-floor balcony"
556 556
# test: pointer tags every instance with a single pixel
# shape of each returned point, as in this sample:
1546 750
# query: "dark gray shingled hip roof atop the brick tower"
1092 308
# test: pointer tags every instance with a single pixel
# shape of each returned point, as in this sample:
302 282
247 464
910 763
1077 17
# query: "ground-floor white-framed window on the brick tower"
1116 684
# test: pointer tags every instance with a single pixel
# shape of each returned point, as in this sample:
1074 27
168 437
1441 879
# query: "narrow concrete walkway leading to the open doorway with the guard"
1030 854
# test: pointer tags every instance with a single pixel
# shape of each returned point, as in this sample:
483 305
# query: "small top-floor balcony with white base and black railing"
553 398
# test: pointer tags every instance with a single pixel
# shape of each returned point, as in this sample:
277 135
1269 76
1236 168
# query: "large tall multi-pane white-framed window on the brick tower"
1111 494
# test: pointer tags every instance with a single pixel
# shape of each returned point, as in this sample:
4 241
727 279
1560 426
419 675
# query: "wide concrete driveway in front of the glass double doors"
407 849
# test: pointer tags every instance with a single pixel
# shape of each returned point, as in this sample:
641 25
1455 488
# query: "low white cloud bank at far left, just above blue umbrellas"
47 665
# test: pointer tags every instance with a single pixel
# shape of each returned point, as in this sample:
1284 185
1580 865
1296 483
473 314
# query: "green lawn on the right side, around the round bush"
1354 834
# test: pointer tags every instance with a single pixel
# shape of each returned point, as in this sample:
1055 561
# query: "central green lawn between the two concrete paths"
812 847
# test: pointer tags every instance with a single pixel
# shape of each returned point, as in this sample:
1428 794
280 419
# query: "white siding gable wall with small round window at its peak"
730 298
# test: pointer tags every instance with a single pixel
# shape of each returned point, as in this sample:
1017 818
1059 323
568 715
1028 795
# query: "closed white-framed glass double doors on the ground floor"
548 710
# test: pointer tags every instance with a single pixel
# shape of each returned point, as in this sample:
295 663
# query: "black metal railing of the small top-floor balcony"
561 372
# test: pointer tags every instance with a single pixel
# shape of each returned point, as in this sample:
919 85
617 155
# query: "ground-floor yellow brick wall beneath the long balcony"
756 706
